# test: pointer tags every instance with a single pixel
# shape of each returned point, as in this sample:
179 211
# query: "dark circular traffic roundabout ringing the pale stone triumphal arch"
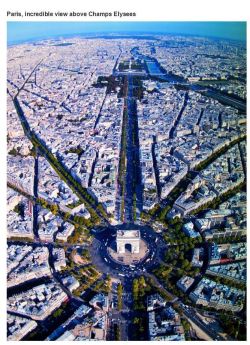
128 261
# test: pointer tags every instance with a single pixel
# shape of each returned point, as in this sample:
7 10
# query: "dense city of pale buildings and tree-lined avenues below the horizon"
126 197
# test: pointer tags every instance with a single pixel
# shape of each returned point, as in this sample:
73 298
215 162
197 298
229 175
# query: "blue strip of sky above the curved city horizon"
24 31
